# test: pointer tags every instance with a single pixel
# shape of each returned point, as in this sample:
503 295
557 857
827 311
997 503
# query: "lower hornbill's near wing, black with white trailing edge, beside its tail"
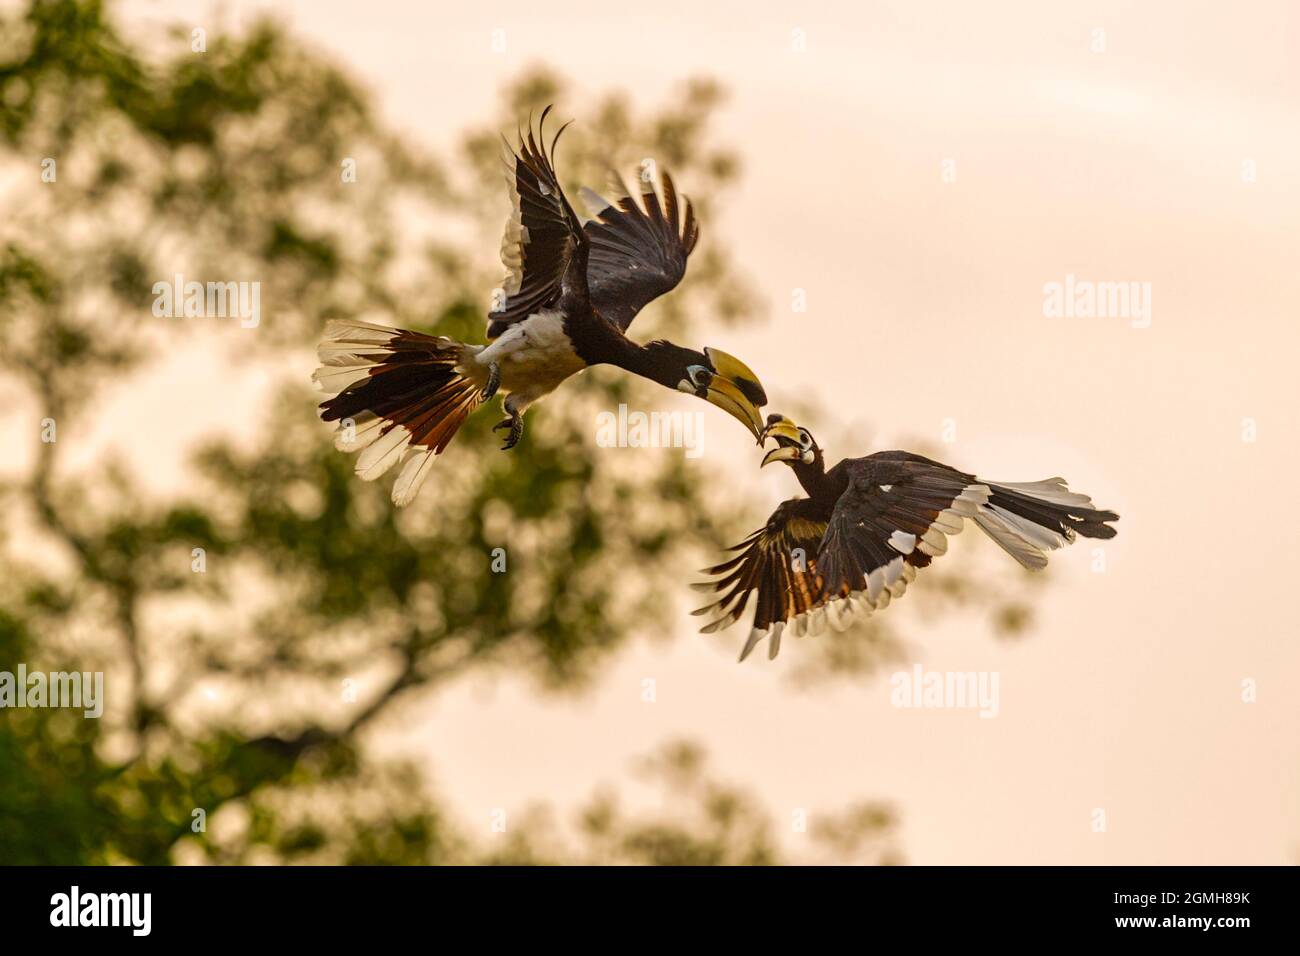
895 517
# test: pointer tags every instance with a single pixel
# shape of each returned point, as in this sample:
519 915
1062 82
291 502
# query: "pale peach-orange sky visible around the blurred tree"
926 304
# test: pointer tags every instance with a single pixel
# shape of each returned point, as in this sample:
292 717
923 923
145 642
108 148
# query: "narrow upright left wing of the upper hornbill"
543 233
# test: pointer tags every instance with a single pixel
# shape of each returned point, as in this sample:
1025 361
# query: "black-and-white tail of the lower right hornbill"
1028 520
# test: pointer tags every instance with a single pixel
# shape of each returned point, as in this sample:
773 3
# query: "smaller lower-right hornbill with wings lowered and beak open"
865 529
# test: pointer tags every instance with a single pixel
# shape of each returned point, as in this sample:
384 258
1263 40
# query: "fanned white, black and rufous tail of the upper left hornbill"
400 397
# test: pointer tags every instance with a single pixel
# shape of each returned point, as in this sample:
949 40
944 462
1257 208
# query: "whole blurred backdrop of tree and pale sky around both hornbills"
885 192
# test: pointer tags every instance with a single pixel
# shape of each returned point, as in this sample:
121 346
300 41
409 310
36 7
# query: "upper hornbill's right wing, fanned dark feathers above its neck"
638 250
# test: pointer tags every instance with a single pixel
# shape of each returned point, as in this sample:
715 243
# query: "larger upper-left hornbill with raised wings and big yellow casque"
570 297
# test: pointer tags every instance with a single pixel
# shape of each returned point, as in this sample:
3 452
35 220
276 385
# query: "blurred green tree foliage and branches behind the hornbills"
253 631
